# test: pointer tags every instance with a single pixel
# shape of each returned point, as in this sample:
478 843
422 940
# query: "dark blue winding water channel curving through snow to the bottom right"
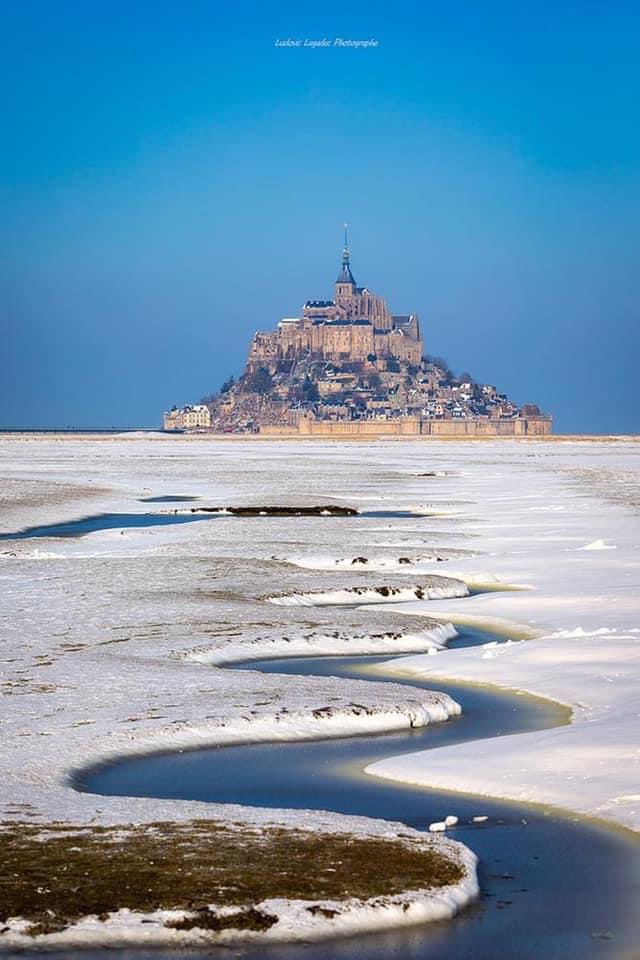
554 886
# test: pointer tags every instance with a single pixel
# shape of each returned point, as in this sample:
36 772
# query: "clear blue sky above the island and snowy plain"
171 181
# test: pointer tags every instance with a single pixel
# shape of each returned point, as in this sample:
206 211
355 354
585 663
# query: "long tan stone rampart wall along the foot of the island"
415 427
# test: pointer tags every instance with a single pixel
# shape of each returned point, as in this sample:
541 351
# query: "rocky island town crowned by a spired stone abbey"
349 366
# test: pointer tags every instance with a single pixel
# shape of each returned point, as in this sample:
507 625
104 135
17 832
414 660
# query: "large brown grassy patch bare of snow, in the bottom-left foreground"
53 876
